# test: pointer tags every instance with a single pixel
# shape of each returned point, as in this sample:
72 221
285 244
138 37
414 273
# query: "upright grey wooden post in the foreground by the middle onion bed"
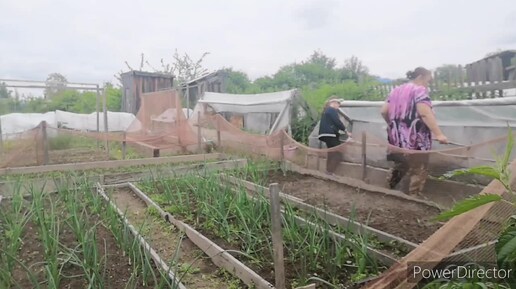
277 238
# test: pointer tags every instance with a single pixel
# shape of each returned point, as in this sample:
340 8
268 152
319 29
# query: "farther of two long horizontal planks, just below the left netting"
110 164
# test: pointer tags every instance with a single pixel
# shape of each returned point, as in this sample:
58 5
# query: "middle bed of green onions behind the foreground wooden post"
235 221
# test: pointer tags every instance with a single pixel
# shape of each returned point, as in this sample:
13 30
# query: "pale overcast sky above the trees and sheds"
89 41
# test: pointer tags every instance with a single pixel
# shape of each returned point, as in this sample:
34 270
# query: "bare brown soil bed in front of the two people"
409 220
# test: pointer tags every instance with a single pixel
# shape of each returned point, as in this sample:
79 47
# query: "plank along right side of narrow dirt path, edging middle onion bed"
219 256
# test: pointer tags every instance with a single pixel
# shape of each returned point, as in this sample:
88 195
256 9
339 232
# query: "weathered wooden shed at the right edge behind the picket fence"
494 68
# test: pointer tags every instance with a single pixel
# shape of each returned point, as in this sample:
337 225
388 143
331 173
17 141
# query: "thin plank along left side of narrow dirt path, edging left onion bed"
146 246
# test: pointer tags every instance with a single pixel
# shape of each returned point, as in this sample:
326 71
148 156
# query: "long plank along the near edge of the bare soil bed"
331 218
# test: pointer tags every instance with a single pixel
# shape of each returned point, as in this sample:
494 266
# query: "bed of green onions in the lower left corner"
71 240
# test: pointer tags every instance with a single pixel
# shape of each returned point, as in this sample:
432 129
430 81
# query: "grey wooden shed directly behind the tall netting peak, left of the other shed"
135 83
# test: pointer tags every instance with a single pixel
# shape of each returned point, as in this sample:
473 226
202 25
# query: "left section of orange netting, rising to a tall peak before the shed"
160 125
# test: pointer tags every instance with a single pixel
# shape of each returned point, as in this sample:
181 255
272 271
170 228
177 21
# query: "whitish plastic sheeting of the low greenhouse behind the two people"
463 122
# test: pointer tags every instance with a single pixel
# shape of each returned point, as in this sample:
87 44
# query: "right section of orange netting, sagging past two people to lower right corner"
469 238
